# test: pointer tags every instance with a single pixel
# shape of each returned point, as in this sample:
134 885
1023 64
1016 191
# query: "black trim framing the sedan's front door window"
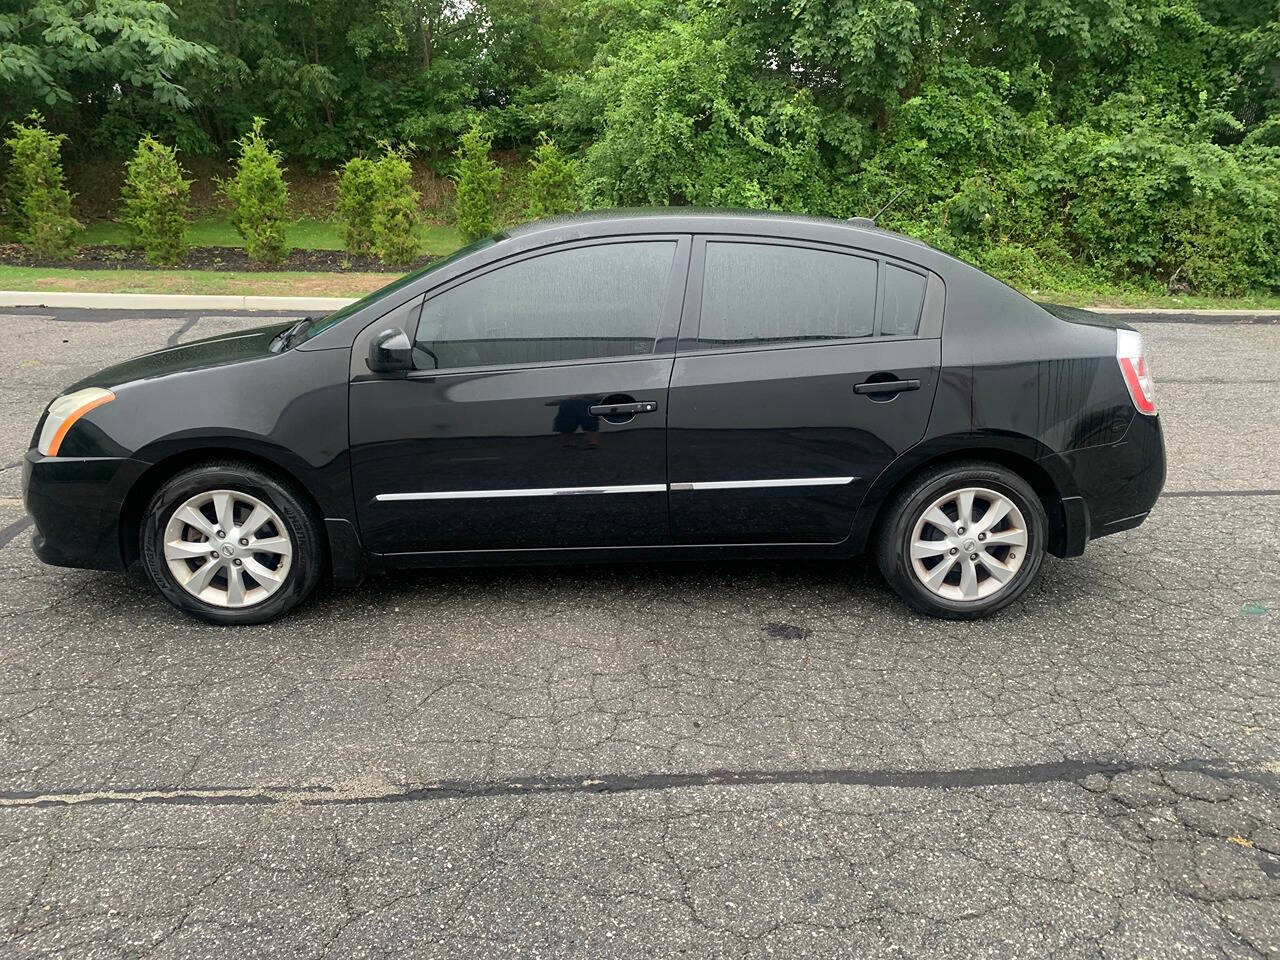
665 335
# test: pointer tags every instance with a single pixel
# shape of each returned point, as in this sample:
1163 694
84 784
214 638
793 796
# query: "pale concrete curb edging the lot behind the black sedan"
164 301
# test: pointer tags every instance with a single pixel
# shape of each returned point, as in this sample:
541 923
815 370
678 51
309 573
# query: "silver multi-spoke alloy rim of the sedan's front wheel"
228 548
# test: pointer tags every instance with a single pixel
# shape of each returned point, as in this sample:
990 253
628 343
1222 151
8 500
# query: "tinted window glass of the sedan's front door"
579 304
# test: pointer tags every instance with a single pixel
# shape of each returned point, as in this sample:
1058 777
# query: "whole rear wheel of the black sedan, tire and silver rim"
963 541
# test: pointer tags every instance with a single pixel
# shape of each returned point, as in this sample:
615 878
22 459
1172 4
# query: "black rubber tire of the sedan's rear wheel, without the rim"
893 551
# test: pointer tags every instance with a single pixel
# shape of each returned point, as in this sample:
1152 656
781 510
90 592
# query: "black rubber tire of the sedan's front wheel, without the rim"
303 527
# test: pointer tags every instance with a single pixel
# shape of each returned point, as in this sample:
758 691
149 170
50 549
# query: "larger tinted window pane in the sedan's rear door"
772 294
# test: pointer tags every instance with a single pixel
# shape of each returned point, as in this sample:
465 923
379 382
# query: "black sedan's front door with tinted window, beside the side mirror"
537 414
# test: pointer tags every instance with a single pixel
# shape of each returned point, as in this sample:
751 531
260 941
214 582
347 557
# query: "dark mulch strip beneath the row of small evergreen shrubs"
103 257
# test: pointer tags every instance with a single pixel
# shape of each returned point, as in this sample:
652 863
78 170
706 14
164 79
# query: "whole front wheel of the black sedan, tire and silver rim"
231 545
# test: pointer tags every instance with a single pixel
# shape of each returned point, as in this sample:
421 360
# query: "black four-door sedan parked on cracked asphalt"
614 388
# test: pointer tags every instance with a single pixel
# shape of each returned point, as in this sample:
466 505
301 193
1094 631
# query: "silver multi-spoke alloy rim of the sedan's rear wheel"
970 545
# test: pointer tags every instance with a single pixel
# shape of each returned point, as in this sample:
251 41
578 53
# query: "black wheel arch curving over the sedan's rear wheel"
1025 456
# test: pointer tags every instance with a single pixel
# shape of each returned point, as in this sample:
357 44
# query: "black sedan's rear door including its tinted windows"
803 371
